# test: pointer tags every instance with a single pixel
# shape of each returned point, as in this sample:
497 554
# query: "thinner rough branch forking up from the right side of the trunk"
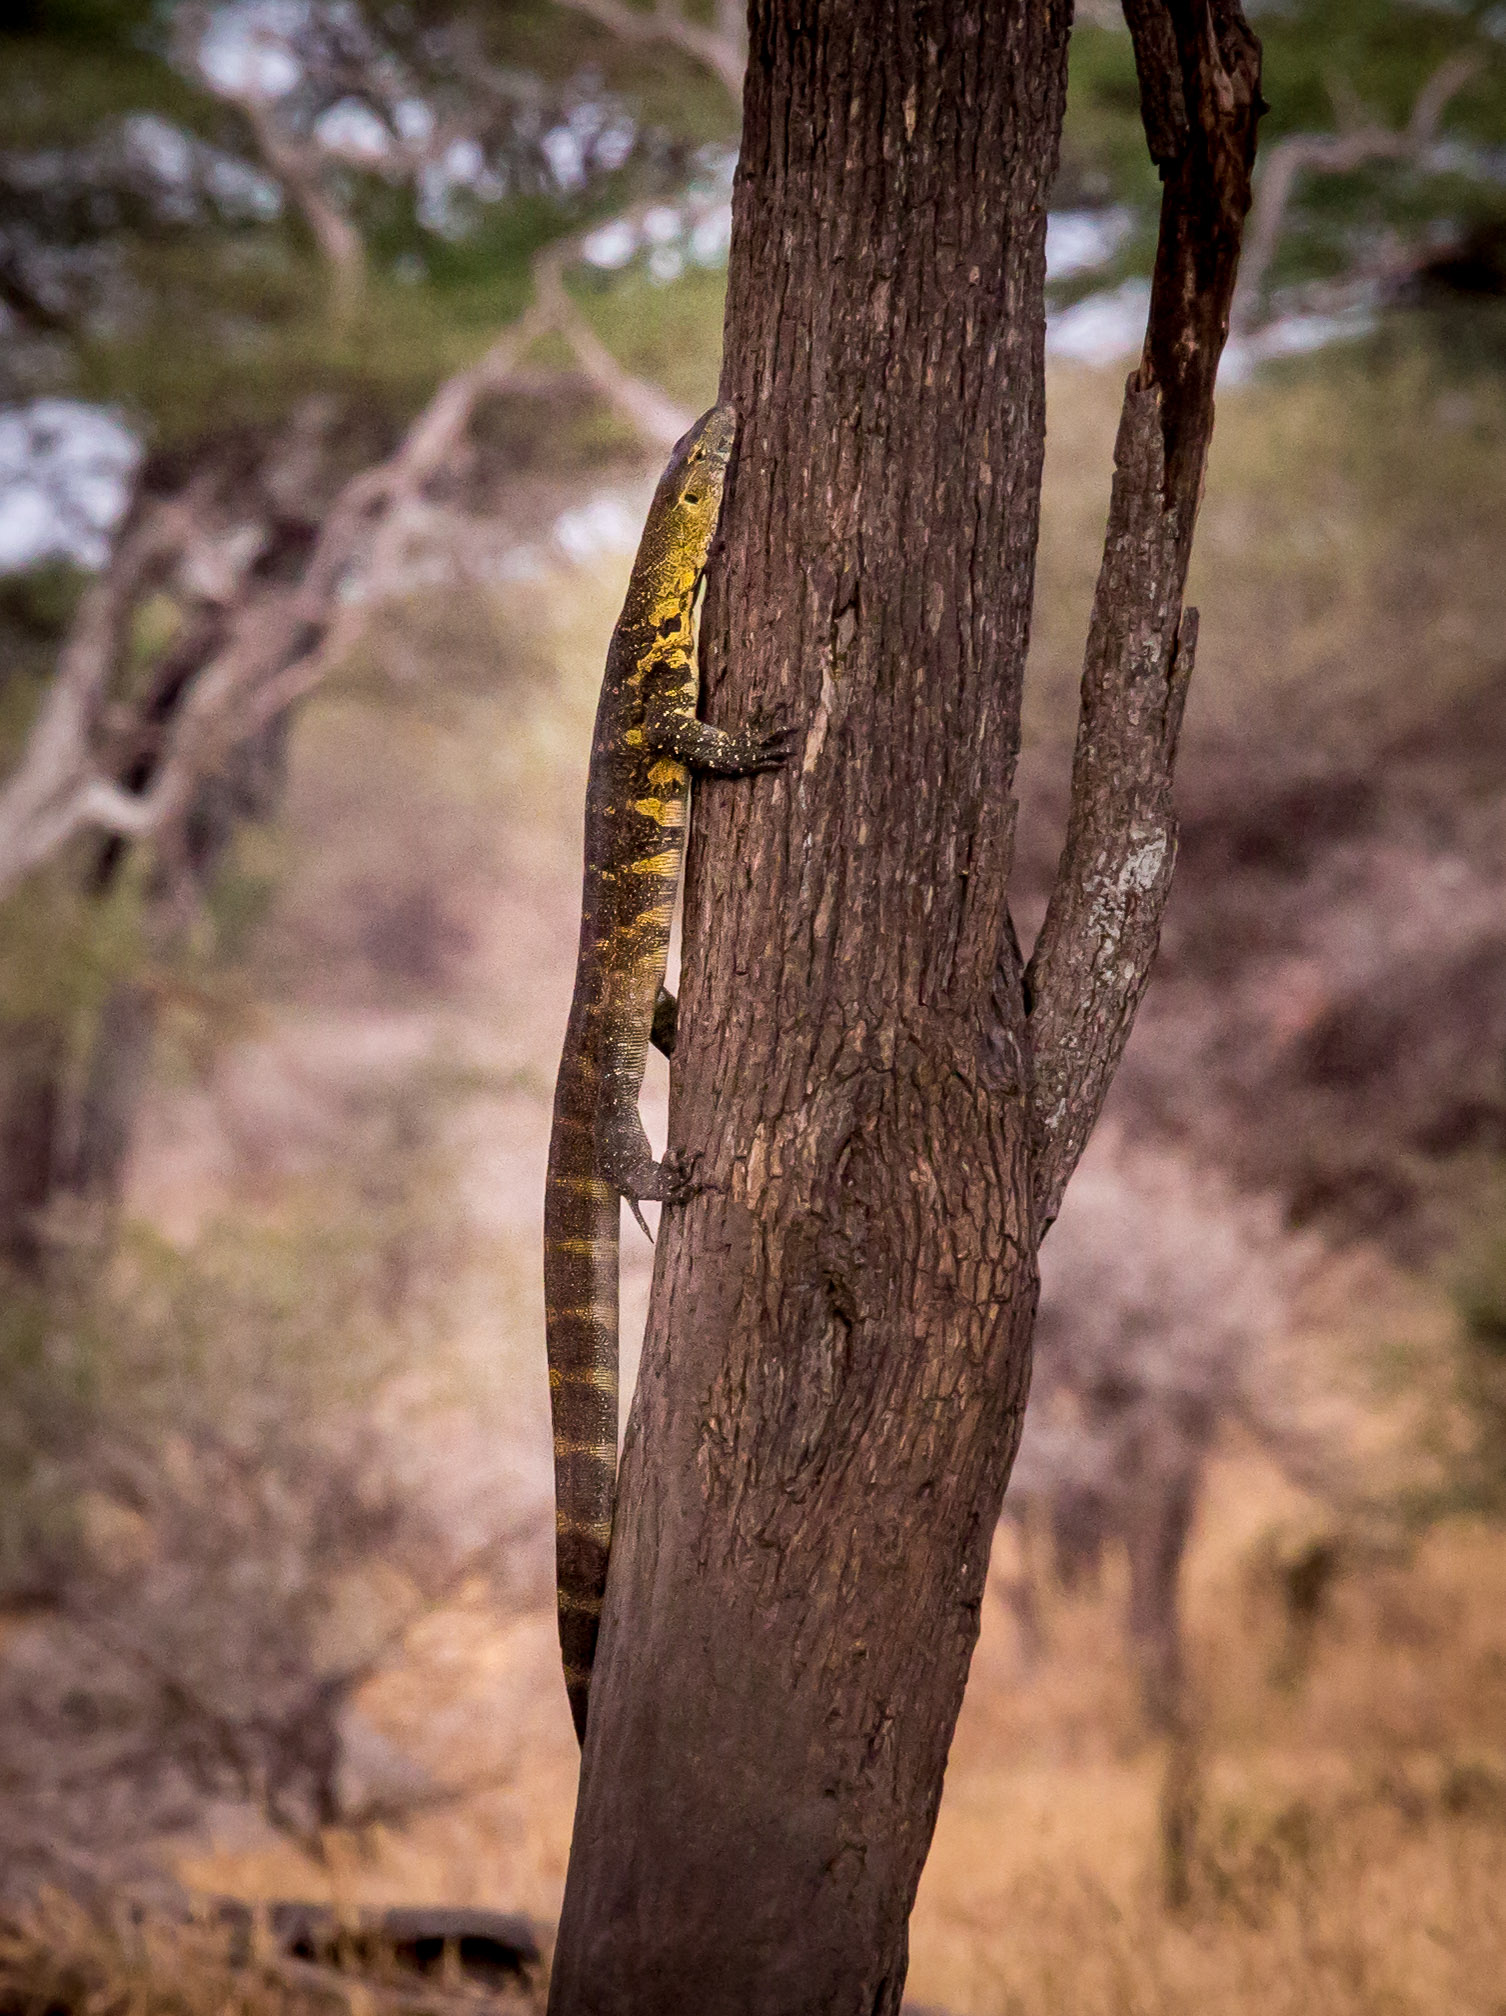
1201 98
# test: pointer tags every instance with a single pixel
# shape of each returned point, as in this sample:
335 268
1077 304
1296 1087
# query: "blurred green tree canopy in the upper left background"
207 322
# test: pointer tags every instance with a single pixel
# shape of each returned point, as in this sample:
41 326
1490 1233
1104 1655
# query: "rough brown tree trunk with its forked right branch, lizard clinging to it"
882 1106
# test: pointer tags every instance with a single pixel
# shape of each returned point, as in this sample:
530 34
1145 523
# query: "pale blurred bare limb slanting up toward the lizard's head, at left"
281 642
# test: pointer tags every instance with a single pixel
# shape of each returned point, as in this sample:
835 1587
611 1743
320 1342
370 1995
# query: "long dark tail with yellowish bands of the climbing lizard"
582 1217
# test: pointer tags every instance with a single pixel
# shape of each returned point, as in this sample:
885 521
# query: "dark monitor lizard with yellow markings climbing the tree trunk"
644 751
